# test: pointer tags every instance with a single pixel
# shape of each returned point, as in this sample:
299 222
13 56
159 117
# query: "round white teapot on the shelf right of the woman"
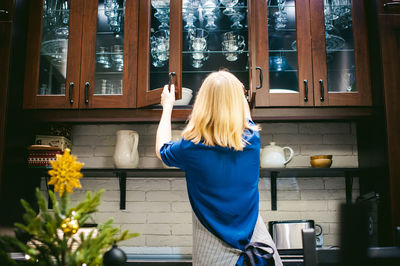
273 156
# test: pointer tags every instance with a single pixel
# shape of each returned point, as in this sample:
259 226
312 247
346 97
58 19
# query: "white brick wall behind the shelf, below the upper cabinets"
158 208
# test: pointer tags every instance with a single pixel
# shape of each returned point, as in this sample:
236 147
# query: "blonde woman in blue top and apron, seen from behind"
220 154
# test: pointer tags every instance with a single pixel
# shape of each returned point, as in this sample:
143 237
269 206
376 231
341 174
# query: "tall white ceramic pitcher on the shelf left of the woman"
126 153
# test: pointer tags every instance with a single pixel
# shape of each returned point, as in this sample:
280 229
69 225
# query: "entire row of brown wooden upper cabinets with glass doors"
120 53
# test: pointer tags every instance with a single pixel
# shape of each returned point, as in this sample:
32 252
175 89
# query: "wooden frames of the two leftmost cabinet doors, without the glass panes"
81 60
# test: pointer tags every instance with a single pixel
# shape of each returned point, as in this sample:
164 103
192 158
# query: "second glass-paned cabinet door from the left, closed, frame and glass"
108 77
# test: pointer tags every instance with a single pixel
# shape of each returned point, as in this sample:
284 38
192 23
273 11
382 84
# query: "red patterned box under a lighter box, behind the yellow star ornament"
41 155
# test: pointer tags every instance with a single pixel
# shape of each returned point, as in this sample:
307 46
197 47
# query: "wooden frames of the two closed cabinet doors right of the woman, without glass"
311 57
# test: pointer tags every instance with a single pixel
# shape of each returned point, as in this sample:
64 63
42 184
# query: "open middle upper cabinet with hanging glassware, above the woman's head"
184 41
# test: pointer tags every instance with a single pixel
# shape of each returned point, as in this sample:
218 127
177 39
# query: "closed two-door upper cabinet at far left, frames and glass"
81 54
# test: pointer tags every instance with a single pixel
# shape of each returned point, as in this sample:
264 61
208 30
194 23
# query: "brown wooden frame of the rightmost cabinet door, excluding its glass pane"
363 94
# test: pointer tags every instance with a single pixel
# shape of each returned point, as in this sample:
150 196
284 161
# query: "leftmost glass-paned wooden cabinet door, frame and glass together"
51 77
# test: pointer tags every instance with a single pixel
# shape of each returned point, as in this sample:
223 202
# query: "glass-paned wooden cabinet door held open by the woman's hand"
159 49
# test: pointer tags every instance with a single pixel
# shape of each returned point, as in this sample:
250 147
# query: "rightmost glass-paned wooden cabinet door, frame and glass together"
343 76
